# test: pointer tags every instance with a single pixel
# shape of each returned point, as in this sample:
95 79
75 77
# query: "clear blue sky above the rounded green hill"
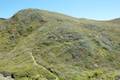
93 9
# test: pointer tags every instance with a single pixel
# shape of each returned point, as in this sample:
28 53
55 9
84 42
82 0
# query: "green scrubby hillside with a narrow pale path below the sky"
42 45
